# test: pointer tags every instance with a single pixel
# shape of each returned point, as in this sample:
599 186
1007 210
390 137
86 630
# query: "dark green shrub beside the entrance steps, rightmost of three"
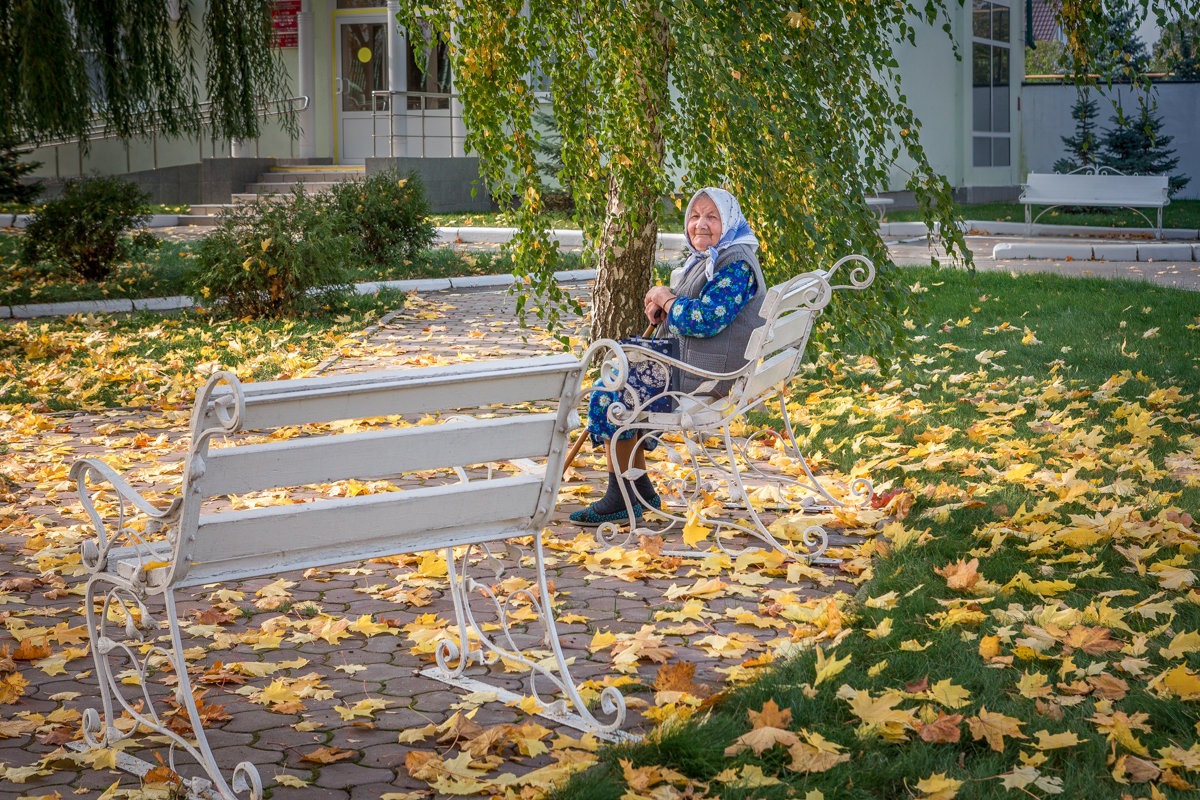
387 216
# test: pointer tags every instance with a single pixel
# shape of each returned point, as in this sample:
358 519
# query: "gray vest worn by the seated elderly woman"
727 351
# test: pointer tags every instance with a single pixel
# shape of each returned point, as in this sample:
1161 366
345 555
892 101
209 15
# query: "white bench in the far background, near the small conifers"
1101 187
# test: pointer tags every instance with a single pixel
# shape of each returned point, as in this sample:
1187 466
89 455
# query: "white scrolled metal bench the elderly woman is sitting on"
776 352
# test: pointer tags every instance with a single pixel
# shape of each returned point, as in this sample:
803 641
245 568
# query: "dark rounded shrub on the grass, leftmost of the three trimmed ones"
86 226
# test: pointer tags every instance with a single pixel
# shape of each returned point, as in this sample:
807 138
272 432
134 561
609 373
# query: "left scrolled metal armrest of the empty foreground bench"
95 555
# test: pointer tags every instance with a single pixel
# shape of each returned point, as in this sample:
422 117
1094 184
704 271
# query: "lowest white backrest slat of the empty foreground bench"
266 542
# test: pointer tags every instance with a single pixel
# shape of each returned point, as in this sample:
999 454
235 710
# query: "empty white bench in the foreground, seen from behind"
148 554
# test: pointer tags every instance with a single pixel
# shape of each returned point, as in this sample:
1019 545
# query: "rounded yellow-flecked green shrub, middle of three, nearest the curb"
284 256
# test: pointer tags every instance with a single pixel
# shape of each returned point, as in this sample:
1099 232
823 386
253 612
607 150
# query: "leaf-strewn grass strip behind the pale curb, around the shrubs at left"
165 273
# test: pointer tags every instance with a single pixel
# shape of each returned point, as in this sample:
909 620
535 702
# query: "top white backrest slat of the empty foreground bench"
399 392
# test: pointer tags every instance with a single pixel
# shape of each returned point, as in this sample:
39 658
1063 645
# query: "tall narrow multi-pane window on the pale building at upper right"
992 133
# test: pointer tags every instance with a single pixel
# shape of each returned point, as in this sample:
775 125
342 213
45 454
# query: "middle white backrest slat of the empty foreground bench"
376 454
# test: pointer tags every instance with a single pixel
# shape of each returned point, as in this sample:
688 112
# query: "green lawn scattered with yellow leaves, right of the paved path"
1029 624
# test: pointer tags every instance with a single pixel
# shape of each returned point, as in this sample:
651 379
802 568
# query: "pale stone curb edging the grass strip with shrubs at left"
473 282
